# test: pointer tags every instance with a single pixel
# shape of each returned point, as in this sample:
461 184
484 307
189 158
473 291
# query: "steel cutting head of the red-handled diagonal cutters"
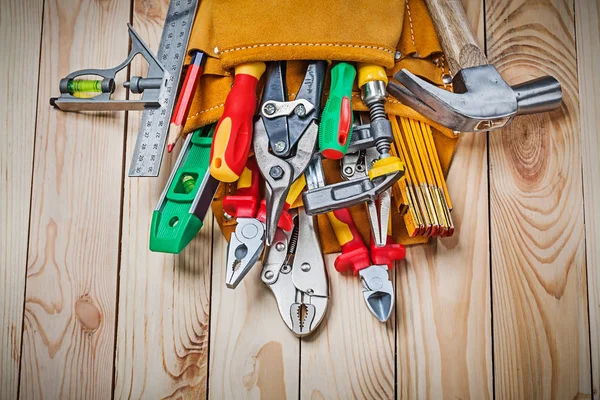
378 291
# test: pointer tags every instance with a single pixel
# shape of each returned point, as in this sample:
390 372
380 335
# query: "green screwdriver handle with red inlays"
335 130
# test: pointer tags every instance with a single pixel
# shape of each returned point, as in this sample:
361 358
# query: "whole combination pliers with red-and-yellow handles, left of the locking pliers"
246 244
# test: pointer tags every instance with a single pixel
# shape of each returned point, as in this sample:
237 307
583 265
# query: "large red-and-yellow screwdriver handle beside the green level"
233 134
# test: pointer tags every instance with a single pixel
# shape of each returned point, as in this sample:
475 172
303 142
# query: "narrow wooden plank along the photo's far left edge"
20 32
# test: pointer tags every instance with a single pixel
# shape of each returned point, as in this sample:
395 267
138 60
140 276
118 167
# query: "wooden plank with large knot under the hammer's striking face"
539 296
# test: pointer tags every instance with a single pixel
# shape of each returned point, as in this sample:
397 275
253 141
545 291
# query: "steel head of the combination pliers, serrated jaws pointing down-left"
244 248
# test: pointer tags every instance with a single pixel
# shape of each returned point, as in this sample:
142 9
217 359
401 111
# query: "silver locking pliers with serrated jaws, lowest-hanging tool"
294 270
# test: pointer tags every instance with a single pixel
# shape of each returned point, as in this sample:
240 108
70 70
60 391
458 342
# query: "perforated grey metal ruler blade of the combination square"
154 126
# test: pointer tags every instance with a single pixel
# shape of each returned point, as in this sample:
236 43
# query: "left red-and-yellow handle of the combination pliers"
244 203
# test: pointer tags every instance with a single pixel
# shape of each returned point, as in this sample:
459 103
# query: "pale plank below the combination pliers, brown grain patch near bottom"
252 352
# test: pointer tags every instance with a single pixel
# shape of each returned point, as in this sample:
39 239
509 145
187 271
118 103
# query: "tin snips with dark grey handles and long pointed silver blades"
285 134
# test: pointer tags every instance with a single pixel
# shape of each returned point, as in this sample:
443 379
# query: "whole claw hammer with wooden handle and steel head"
481 100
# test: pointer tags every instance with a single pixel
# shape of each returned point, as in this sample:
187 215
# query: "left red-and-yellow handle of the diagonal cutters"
355 255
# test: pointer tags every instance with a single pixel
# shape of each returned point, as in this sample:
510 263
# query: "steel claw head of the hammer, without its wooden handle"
481 101
